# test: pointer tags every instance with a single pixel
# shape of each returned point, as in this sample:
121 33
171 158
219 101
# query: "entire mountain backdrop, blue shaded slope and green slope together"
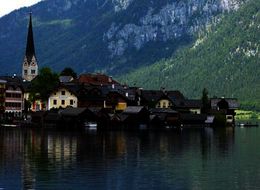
177 44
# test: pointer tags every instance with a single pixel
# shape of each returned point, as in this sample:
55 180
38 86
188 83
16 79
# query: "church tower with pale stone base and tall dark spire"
30 67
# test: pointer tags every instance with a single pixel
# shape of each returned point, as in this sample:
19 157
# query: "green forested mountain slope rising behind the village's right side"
225 60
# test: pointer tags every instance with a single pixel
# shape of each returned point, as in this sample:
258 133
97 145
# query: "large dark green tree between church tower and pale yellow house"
44 84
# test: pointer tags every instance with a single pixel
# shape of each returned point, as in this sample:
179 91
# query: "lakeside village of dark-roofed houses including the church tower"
97 100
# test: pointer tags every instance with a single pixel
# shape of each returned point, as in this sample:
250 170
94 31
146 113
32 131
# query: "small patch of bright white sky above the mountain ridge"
6 6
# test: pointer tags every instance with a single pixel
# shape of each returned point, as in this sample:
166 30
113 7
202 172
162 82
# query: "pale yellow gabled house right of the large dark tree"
62 97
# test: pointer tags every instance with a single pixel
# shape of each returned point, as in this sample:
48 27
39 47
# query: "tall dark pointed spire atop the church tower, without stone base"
30 51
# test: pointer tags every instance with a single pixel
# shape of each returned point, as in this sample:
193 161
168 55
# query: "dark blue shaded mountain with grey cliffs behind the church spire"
111 36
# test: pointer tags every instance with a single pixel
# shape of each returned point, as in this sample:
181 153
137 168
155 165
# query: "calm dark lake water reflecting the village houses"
187 159
